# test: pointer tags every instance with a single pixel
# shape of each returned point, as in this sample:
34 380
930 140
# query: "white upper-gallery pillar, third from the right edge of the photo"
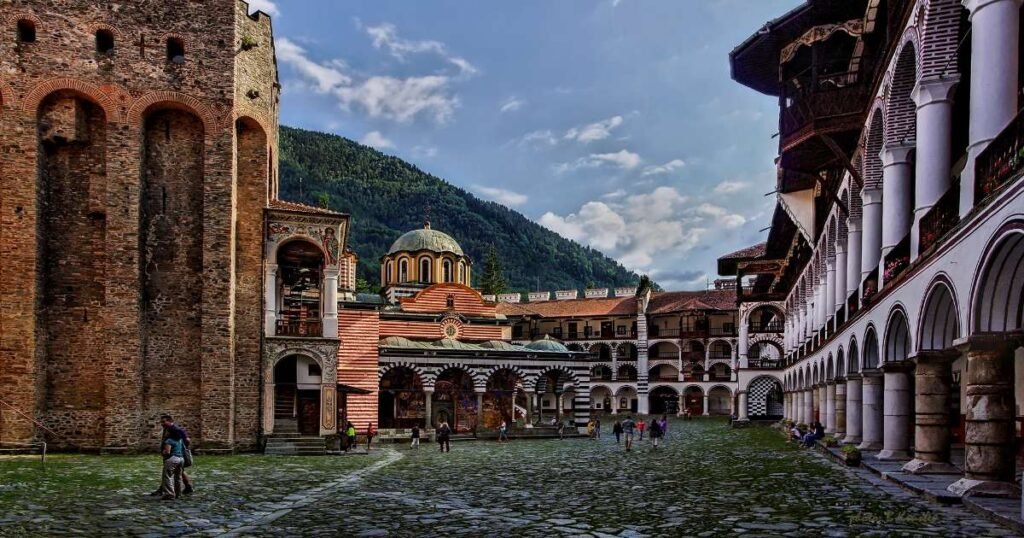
898 187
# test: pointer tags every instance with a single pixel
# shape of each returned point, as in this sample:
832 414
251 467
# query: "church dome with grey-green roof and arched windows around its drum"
425 257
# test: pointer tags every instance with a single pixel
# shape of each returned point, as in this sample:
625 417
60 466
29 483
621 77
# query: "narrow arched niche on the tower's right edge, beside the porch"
252 170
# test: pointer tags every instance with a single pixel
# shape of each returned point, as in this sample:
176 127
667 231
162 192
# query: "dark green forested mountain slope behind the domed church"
388 197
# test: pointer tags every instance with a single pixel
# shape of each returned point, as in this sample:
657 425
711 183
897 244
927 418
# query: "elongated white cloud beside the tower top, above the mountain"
396 99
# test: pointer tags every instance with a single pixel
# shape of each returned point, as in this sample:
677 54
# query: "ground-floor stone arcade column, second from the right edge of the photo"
933 385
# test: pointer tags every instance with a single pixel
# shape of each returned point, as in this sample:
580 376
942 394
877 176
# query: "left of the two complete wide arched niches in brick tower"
72 131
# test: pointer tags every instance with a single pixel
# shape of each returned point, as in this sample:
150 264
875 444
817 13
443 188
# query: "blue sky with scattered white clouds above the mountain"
613 122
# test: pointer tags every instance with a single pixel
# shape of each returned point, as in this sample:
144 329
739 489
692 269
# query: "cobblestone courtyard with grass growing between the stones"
707 480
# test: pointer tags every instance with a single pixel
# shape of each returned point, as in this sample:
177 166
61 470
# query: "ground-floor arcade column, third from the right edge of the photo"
899 412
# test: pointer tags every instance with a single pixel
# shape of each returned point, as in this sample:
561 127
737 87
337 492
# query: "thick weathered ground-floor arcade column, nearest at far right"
989 440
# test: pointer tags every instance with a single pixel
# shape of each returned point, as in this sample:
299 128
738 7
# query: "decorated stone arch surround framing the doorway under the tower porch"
325 354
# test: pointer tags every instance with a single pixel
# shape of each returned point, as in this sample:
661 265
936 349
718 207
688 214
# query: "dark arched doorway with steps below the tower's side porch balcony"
297 396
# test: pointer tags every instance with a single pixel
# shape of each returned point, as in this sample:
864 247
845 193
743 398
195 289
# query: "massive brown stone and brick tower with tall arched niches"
138 152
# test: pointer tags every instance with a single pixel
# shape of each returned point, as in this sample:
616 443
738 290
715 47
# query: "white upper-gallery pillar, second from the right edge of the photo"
933 175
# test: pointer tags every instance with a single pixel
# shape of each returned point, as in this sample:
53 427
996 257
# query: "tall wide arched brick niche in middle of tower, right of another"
172 215
